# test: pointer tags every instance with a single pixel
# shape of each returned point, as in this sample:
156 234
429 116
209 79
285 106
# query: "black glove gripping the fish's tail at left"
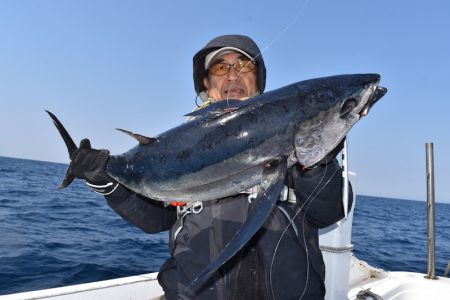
90 164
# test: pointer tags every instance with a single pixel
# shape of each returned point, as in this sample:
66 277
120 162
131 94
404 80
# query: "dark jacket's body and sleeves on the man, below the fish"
282 261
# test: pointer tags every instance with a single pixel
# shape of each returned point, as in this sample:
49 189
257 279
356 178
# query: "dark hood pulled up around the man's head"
238 41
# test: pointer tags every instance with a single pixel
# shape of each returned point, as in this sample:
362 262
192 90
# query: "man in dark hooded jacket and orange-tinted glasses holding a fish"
282 260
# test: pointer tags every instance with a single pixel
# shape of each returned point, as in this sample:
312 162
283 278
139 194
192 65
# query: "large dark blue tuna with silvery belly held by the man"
231 146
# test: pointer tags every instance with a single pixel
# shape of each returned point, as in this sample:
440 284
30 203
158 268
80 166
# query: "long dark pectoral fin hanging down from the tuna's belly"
269 191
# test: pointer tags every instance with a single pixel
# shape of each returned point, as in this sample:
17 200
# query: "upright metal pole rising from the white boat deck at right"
431 215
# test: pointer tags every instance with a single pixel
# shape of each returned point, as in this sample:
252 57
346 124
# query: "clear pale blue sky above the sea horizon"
99 65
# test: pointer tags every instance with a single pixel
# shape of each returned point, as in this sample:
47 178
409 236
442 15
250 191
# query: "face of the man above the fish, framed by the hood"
232 85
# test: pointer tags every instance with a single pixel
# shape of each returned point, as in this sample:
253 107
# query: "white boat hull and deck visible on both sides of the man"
364 279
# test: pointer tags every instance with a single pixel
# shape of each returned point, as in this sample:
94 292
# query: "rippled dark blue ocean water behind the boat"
51 238
